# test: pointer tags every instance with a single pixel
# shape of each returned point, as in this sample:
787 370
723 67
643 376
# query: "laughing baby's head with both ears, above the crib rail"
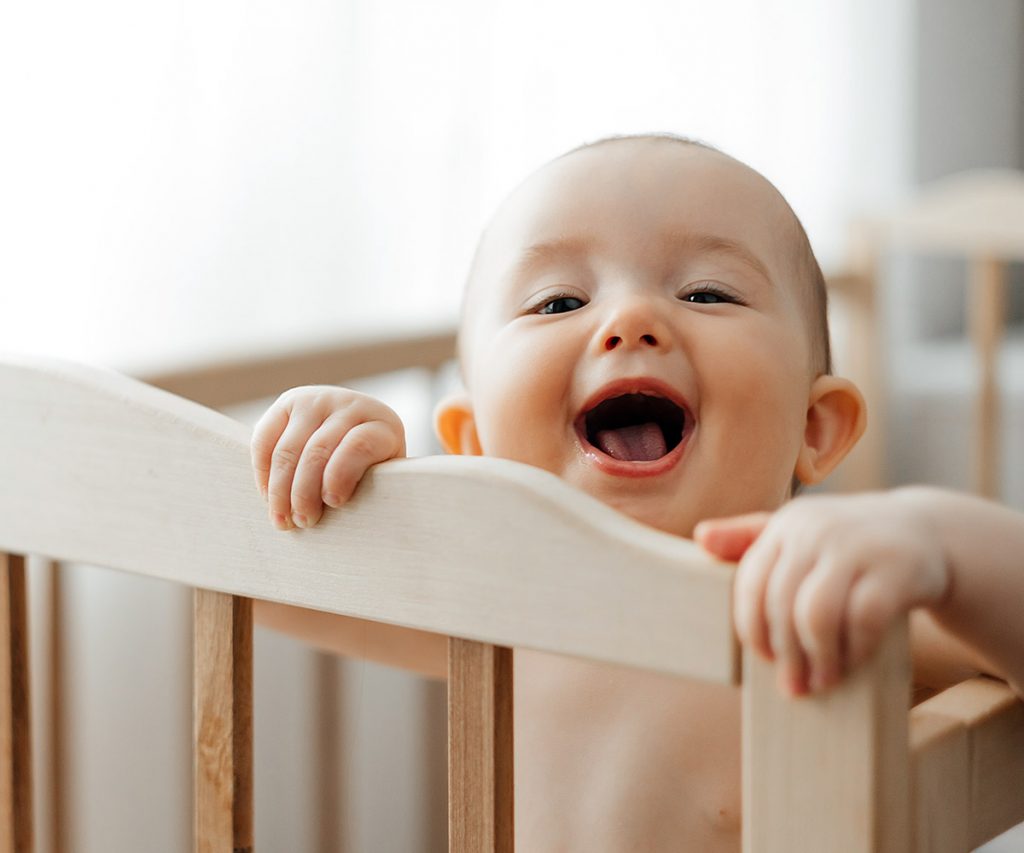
646 319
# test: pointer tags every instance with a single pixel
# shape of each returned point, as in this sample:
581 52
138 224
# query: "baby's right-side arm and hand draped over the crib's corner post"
822 580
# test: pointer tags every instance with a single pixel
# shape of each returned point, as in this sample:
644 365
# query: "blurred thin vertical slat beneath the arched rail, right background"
987 298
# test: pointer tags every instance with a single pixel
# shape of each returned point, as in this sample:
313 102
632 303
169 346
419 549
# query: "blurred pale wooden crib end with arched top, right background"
977 217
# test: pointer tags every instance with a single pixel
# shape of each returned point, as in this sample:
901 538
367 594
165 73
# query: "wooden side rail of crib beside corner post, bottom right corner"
990 775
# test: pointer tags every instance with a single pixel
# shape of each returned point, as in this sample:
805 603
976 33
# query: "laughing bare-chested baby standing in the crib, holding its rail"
646 319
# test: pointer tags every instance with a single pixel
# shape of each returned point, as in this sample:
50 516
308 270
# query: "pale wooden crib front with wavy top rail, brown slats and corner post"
101 470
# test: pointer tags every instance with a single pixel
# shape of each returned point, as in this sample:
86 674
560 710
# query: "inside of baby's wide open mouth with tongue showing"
635 428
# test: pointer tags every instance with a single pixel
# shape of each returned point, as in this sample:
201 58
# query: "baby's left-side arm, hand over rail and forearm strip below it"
311 449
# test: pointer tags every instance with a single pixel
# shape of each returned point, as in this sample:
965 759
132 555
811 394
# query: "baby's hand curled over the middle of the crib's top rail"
314 445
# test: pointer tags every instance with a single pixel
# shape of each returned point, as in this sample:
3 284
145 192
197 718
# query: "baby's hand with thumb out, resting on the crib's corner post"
821 580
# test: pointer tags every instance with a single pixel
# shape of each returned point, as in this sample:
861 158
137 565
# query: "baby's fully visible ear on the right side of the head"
836 420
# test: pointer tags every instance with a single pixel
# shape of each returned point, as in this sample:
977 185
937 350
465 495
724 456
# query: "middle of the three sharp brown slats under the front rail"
224 723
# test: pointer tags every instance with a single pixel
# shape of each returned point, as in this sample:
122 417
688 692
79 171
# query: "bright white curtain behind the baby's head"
180 180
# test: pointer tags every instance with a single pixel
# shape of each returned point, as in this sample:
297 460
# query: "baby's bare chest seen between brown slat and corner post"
610 759
